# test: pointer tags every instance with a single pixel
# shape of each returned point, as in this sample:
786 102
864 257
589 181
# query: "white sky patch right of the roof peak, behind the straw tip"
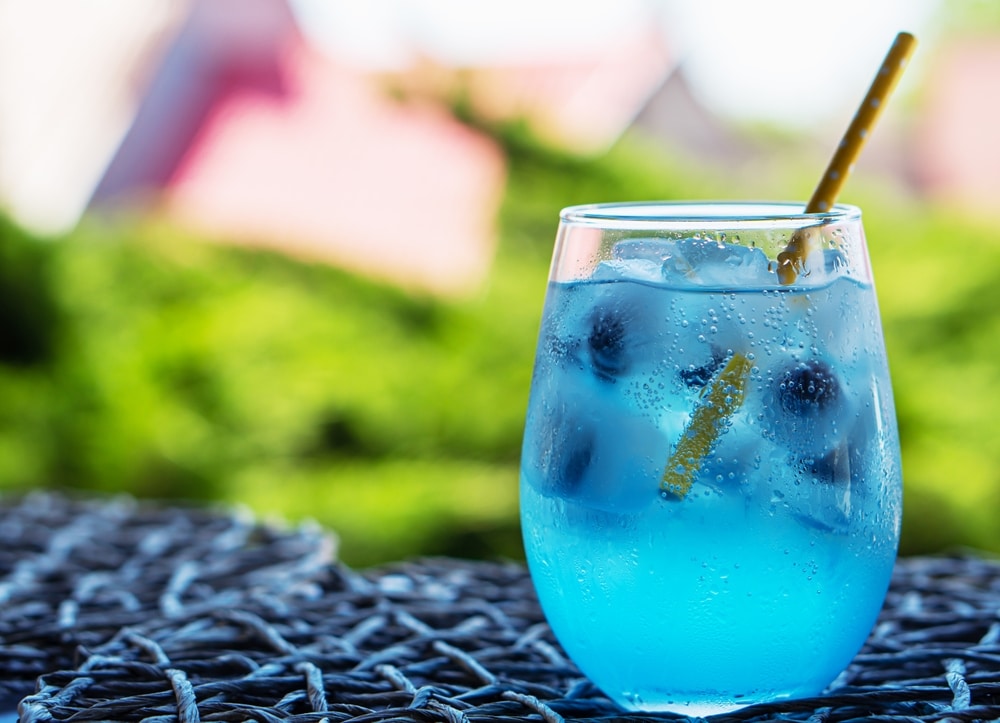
794 61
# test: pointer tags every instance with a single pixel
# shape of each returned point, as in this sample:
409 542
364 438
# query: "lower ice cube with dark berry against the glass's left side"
585 445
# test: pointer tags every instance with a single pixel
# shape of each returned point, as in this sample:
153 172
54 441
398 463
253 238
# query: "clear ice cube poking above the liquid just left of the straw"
708 262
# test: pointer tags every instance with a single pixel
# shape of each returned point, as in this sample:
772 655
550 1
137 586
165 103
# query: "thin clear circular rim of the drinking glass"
646 214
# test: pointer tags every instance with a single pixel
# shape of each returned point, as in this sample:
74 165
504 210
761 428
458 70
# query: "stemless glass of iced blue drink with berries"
710 480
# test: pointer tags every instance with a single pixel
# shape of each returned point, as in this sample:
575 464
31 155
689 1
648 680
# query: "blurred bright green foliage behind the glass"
133 358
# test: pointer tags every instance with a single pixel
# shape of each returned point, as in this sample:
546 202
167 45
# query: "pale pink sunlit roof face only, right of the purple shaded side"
333 169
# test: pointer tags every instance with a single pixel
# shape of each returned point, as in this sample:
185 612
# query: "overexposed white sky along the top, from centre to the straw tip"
796 62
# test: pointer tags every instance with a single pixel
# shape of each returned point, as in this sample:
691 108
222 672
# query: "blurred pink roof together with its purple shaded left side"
248 135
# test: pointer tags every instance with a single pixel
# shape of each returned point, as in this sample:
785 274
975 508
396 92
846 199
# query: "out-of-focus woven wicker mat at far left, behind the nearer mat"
73 572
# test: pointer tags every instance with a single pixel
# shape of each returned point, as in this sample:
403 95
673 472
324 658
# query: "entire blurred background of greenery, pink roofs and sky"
245 258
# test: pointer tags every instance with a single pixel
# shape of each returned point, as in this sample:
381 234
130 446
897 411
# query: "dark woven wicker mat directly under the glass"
450 640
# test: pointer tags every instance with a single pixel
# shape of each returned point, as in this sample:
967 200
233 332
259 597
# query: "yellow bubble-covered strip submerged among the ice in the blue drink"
723 398
